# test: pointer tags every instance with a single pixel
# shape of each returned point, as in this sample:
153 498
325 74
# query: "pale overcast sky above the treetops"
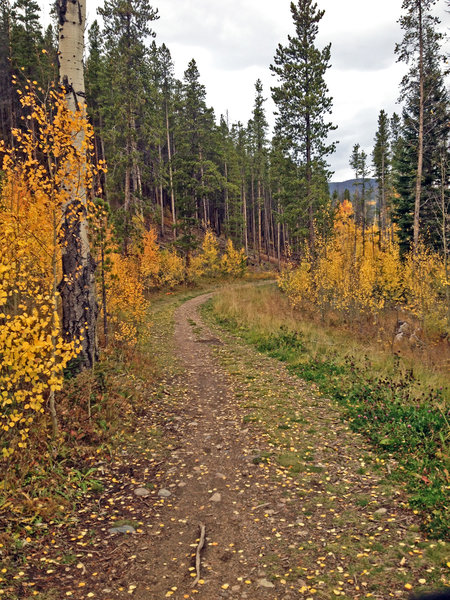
234 42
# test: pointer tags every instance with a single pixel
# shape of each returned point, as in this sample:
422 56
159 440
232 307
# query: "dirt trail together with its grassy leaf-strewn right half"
315 527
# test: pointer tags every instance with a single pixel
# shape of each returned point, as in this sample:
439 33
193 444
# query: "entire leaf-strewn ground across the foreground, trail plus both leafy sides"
292 503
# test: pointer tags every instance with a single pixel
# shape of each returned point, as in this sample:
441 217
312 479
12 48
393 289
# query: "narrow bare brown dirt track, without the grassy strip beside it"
216 458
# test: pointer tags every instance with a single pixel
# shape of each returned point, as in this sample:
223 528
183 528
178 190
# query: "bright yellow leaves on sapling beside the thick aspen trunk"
37 174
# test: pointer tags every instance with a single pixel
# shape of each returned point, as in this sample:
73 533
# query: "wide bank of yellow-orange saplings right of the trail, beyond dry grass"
357 277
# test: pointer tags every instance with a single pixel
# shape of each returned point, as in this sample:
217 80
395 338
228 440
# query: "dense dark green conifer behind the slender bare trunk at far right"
431 128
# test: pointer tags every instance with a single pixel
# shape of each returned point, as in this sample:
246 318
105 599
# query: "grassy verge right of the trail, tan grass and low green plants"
400 408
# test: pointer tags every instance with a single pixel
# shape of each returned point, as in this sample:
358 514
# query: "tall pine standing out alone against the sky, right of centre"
302 99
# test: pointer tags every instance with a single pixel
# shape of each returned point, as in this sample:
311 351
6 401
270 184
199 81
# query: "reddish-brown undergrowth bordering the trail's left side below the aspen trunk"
42 487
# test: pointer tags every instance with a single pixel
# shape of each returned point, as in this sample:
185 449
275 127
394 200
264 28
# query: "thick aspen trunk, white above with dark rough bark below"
77 288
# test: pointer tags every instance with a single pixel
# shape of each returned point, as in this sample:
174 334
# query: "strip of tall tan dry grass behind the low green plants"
266 310
